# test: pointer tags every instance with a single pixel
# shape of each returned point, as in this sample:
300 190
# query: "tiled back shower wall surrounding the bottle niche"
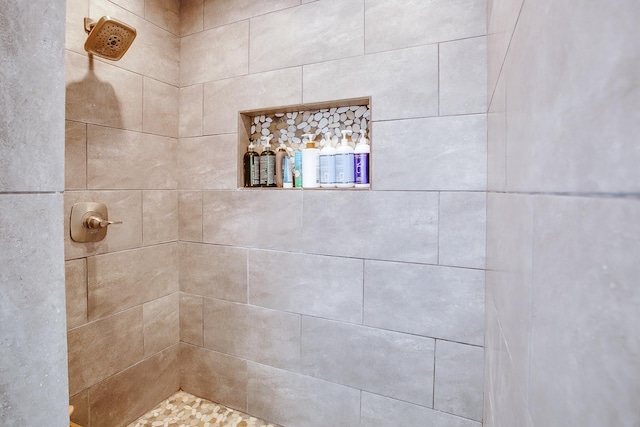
326 307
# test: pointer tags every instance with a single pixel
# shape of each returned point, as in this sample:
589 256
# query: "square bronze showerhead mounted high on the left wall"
108 38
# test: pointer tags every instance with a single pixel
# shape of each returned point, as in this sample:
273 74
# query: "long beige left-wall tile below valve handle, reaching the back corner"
125 279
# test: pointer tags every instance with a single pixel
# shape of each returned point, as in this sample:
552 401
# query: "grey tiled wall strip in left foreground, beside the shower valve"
33 377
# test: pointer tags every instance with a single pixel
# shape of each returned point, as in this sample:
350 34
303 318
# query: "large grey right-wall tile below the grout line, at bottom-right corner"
585 290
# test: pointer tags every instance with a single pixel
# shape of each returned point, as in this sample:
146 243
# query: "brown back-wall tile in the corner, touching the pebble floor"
199 365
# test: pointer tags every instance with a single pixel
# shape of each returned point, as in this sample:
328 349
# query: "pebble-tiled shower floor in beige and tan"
186 410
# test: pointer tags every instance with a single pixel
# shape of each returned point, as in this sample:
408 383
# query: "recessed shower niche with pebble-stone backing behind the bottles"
286 125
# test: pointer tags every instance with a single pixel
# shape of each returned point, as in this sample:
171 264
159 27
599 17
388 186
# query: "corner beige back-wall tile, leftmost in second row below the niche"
214 271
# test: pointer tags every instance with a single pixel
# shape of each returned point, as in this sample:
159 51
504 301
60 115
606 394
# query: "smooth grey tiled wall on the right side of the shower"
562 216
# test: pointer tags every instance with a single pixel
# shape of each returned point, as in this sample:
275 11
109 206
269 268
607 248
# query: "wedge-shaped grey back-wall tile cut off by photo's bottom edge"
378 410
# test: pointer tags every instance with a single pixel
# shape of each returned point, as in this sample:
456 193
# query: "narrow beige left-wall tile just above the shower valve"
75 156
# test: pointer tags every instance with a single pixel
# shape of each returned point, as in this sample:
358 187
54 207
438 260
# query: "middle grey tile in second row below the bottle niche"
328 287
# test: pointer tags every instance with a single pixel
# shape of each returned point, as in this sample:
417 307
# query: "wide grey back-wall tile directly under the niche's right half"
399 226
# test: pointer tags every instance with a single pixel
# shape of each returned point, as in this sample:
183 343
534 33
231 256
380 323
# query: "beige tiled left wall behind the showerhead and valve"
121 149
